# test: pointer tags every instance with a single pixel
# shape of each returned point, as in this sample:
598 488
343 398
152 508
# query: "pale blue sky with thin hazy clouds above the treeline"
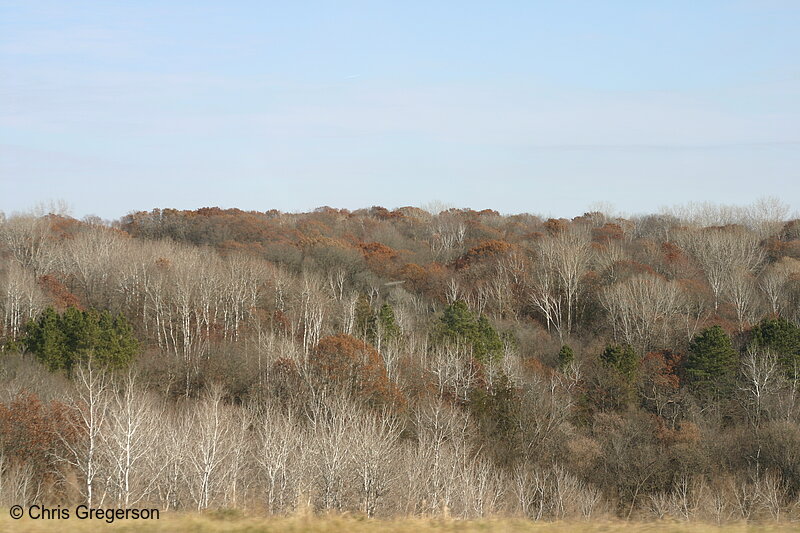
529 106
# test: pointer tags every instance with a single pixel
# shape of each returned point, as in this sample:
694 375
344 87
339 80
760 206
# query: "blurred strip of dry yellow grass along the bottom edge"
235 523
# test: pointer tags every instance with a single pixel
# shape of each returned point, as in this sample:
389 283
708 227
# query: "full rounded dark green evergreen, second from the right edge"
711 363
